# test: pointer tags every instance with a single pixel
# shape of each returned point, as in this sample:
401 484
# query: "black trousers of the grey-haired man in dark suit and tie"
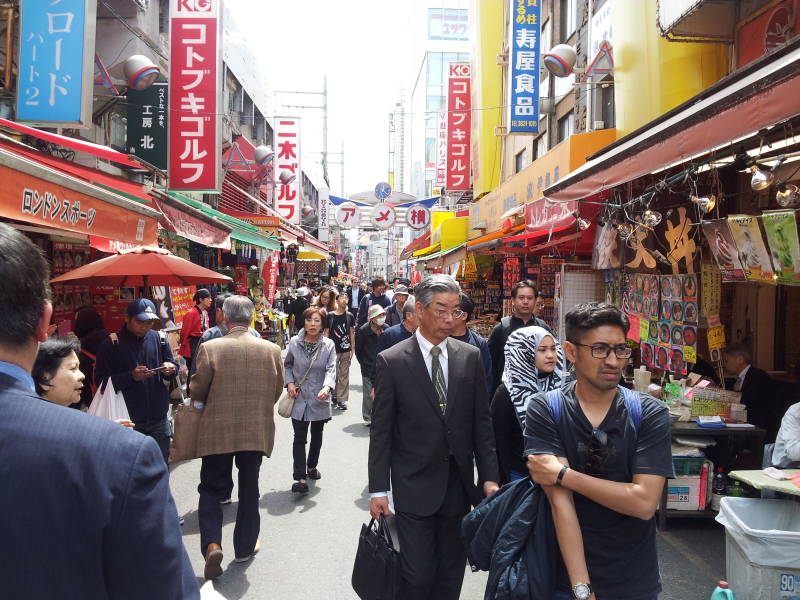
432 555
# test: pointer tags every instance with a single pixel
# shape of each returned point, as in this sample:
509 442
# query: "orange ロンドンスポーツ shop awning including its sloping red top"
33 192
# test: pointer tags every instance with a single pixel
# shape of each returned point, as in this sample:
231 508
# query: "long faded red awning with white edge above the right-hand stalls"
760 95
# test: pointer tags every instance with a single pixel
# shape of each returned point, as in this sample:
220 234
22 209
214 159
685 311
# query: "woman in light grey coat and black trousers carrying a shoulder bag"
310 367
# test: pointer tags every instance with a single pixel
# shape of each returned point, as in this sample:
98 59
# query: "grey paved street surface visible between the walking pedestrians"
309 543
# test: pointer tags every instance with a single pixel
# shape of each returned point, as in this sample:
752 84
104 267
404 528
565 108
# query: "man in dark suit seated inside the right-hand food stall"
757 389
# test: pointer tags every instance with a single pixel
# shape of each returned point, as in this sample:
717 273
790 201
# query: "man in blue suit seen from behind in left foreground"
87 511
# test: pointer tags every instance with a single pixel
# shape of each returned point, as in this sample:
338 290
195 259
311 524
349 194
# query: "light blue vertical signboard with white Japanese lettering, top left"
56 62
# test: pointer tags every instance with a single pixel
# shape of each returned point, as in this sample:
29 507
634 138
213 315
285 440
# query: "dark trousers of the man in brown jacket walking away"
215 478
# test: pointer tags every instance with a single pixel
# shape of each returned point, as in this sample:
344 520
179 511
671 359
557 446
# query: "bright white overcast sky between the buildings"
363 46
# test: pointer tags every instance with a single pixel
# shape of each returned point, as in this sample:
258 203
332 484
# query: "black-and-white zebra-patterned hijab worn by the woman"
520 375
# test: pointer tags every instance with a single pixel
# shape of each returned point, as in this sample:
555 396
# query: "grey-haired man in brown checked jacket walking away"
238 380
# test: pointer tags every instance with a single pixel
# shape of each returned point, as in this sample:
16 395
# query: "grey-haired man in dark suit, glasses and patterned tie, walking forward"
430 426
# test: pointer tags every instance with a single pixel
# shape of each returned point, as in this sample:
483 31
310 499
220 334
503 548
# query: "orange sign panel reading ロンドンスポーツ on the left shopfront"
35 200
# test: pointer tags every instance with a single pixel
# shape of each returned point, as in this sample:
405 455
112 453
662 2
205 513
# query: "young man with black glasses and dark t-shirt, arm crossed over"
601 453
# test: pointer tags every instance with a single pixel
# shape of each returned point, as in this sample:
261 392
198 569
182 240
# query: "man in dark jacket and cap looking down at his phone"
138 360
